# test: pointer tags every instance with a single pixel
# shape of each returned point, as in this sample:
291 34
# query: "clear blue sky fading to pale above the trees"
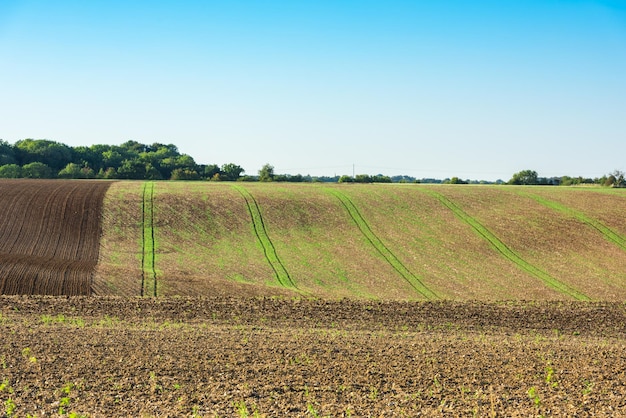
427 88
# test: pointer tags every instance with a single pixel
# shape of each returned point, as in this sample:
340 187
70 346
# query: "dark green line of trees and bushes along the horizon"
43 159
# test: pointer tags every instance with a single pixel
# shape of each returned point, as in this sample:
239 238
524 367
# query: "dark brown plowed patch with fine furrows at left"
49 235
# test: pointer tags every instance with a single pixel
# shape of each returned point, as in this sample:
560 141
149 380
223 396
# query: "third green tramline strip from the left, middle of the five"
378 244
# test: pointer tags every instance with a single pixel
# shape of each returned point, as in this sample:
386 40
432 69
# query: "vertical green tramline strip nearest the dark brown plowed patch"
148 255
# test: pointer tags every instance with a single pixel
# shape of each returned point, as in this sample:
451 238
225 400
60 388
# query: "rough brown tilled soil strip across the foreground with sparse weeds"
107 357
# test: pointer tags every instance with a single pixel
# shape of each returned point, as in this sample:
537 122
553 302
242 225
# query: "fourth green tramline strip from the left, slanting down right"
505 251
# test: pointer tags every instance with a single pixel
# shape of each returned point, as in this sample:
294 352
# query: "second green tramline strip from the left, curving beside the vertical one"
282 275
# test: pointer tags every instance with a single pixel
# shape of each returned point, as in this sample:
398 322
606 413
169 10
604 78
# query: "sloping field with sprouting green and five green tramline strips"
386 242
